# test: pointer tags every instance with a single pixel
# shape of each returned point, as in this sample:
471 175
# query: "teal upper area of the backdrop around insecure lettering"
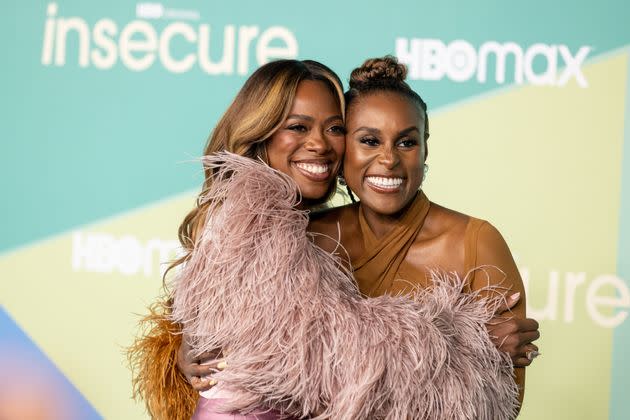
84 143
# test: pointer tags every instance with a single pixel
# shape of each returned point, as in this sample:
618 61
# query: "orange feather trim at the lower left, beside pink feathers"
155 377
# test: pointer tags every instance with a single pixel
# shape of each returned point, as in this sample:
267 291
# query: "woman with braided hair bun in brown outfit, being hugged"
394 236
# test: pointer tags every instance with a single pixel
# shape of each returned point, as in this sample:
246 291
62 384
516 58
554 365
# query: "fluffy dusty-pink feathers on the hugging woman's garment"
302 339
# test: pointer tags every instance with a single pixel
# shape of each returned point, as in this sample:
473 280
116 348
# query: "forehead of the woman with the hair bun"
387 109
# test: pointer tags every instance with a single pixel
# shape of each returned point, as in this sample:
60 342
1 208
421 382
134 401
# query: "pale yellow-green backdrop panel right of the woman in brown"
544 165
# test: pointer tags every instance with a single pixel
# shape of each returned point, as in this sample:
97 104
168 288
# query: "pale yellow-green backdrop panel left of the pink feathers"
78 296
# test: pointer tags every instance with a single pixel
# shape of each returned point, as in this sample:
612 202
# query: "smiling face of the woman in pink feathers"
309 144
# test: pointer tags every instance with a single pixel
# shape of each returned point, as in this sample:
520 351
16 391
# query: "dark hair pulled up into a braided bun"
384 74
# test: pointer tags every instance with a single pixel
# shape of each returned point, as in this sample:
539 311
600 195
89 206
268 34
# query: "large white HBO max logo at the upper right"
432 59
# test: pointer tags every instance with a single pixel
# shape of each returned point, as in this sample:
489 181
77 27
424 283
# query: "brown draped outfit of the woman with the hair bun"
385 266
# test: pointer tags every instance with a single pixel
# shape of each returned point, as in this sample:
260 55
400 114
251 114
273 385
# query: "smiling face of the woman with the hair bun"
385 151
